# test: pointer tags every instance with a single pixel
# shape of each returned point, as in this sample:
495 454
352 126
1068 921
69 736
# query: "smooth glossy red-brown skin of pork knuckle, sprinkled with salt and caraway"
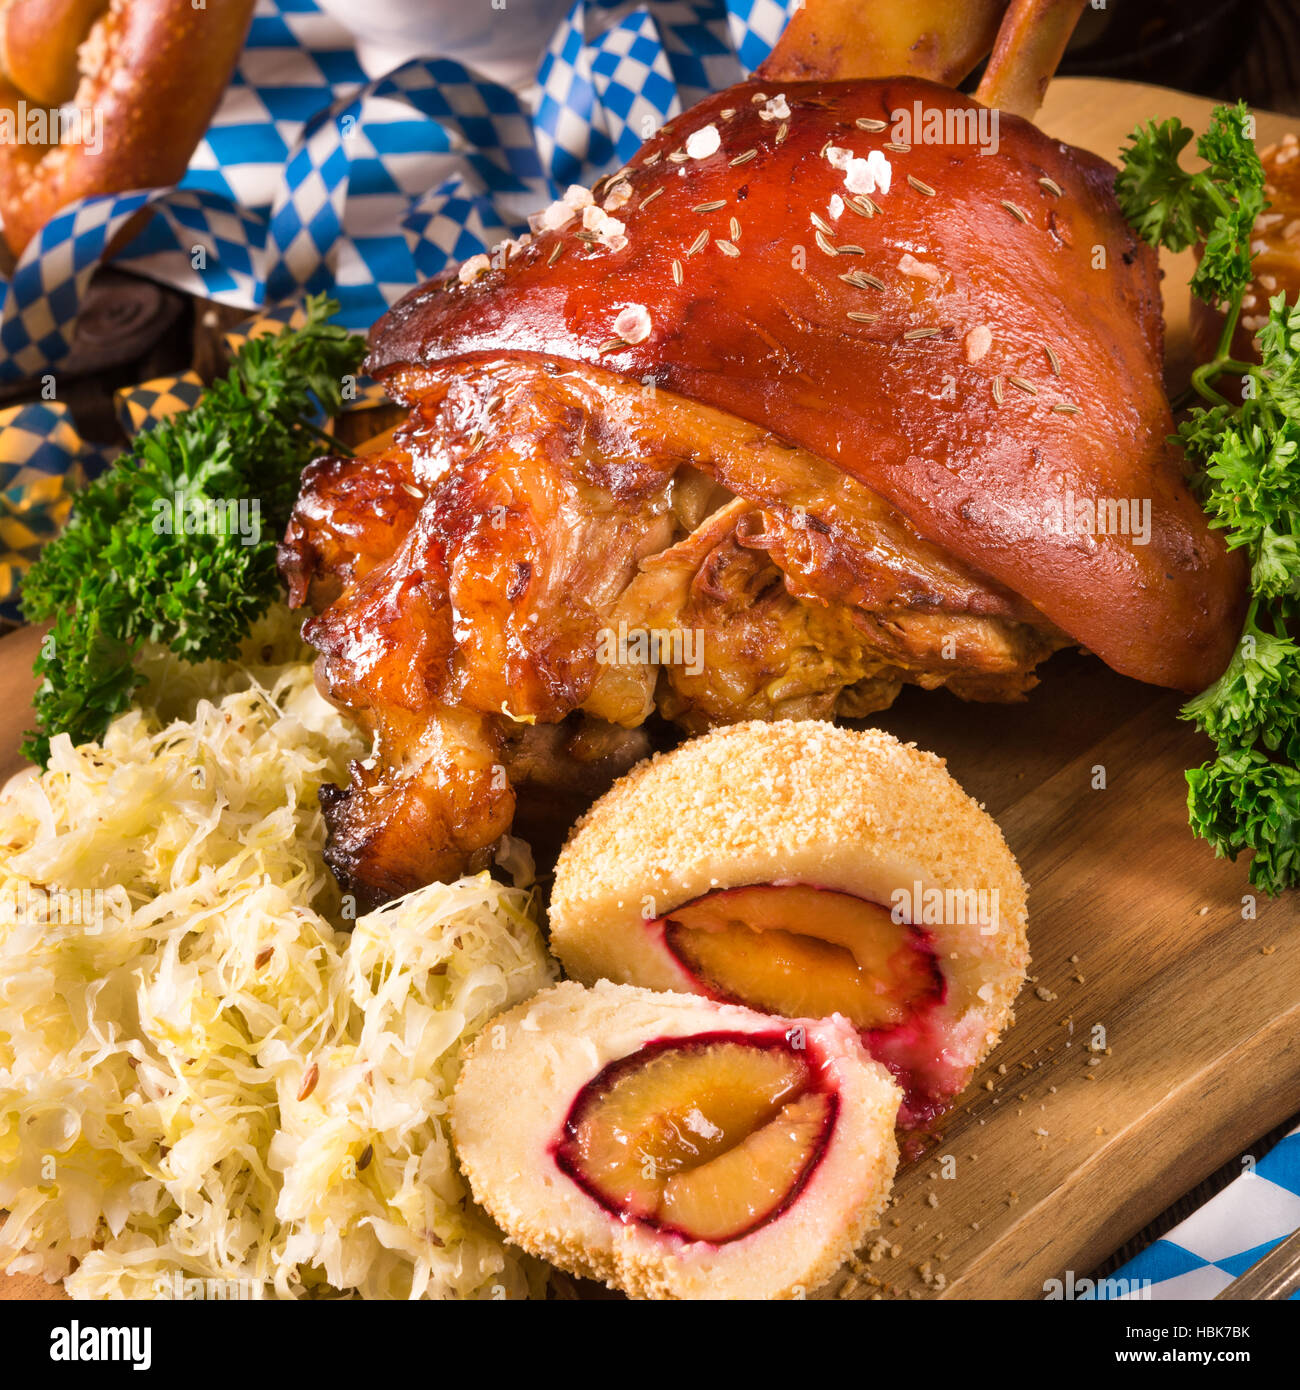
767 336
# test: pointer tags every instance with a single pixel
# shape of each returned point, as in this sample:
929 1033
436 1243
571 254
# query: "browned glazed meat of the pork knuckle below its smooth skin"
469 576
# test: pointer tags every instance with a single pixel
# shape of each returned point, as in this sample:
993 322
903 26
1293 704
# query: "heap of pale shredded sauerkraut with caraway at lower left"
209 1086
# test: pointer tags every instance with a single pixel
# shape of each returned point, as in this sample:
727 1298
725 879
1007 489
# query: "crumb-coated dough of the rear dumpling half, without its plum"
795 801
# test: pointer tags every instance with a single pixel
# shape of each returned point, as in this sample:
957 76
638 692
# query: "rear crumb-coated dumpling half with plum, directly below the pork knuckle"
810 871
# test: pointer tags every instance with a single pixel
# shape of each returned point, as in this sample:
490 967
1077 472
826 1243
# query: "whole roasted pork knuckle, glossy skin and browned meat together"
774 450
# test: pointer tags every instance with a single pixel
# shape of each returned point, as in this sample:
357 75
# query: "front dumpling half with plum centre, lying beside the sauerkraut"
676 1147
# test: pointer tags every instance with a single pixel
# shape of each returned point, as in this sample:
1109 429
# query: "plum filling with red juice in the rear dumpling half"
804 951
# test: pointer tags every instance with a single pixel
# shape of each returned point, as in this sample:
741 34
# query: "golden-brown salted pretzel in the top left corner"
149 73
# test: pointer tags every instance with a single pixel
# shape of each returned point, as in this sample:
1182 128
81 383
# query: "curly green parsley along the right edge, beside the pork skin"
1245 465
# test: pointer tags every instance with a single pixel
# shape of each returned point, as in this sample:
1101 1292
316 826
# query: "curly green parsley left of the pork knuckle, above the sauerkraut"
122 575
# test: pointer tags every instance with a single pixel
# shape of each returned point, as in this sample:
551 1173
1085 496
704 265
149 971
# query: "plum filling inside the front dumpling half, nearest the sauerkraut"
706 1138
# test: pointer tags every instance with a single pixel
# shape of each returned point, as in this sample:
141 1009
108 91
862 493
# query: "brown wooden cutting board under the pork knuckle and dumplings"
1135 928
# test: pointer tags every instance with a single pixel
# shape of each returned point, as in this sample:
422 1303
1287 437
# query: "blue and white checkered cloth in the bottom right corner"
1223 1239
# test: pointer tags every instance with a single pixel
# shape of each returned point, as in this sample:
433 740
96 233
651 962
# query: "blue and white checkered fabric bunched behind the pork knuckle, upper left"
315 176
